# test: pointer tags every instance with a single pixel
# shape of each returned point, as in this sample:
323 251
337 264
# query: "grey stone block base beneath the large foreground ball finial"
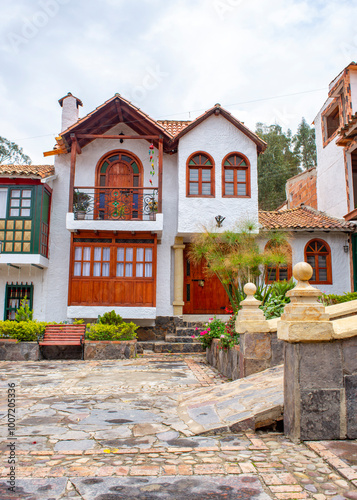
322 378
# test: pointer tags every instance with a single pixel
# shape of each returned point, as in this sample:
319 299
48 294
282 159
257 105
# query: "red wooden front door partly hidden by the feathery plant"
202 294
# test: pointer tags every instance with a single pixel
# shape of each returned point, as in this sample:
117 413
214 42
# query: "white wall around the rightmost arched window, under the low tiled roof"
340 261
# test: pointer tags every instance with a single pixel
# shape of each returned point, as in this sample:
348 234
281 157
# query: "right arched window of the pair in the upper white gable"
235 176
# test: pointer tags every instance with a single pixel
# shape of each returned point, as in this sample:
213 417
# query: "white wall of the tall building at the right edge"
330 174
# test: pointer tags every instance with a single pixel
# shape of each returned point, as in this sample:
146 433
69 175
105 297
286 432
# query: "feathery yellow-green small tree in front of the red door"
236 258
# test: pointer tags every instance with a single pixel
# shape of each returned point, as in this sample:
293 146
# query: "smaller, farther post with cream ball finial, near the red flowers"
255 351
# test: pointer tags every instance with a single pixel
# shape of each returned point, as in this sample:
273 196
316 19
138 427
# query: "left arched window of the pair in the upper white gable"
200 175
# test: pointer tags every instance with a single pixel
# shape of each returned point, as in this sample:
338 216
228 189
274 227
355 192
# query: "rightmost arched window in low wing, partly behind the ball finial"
318 255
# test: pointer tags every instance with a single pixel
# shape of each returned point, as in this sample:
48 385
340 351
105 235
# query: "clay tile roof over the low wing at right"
302 218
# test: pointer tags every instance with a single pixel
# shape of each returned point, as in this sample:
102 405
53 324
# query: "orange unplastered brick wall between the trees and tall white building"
302 189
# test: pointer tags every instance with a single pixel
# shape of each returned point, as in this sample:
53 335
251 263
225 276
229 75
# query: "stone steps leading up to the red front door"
178 338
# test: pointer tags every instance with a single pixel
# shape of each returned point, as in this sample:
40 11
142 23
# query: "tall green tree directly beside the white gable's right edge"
277 164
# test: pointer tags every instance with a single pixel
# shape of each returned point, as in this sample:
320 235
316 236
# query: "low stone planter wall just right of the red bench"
124 349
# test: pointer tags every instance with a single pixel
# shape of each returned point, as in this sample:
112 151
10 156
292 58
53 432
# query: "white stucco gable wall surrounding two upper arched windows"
217 137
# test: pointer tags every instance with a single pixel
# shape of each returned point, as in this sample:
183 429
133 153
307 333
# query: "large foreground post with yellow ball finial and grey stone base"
313 374
